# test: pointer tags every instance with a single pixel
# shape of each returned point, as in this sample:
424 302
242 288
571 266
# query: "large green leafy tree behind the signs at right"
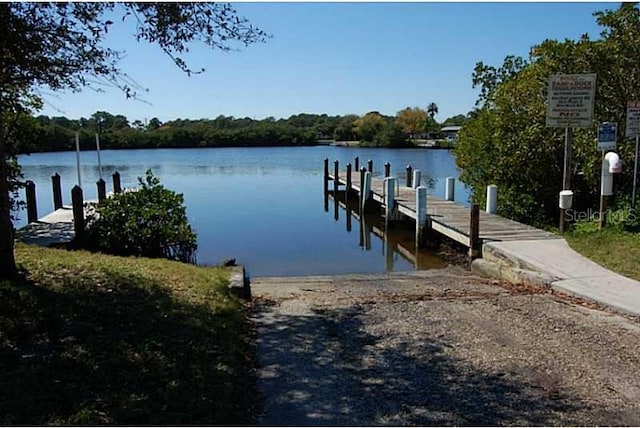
506 141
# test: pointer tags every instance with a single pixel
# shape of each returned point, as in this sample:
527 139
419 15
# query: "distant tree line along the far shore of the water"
49 134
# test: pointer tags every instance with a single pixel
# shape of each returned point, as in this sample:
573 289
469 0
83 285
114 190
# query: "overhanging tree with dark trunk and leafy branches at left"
61 46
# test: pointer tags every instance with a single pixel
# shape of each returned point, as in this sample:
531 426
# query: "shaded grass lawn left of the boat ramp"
95 339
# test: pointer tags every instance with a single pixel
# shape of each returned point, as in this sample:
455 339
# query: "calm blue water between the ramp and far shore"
262 206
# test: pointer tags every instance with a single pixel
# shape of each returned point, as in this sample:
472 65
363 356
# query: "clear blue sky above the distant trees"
336 58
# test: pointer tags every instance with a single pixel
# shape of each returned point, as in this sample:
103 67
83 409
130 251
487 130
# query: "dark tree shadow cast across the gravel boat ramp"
325 369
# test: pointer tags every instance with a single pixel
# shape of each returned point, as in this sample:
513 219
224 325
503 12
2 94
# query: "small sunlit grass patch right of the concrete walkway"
611 247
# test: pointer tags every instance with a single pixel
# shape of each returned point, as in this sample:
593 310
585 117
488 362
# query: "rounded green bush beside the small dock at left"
150 221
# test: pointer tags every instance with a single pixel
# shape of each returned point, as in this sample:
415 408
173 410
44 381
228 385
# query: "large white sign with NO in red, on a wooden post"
570 100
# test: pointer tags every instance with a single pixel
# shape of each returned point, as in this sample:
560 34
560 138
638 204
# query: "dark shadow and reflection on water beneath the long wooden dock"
397 238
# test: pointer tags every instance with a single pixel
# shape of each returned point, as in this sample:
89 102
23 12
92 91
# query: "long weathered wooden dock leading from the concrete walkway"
448 218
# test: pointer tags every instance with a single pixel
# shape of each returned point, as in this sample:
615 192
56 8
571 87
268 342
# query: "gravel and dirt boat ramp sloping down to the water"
439 347
